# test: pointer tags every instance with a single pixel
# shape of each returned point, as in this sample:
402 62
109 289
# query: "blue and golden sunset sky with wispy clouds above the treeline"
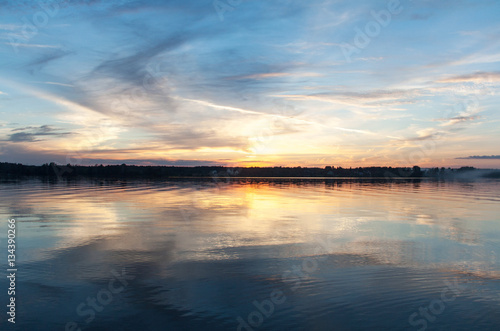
251 83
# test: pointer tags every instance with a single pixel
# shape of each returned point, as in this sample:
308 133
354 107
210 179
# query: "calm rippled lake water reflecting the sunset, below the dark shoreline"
254 255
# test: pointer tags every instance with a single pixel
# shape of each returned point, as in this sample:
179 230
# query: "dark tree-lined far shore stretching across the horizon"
219 173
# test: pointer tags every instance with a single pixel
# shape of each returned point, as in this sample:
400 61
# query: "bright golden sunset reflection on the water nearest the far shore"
203 220
